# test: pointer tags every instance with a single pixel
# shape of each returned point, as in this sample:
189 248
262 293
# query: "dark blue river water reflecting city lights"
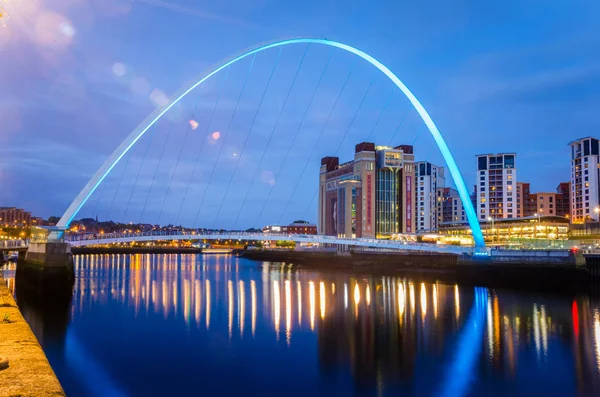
142 325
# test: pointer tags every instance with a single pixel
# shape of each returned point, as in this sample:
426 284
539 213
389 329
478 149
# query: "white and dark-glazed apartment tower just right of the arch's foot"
496 189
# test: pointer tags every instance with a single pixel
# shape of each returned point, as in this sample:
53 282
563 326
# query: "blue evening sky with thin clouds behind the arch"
76 76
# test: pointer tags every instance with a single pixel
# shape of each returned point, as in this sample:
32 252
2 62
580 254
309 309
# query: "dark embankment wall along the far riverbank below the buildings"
560 275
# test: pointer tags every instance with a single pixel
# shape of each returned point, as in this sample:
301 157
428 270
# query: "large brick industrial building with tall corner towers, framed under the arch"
372 195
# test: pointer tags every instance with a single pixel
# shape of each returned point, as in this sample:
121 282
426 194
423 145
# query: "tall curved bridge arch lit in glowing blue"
141 129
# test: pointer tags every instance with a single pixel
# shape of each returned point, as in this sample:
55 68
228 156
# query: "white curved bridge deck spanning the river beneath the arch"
397 245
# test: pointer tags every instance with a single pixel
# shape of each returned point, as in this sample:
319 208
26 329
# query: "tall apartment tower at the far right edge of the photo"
585 179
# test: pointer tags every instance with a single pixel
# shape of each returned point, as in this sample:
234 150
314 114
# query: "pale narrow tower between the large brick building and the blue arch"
429 179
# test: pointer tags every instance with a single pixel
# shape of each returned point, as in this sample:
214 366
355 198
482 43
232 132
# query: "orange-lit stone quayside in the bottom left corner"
29 373
